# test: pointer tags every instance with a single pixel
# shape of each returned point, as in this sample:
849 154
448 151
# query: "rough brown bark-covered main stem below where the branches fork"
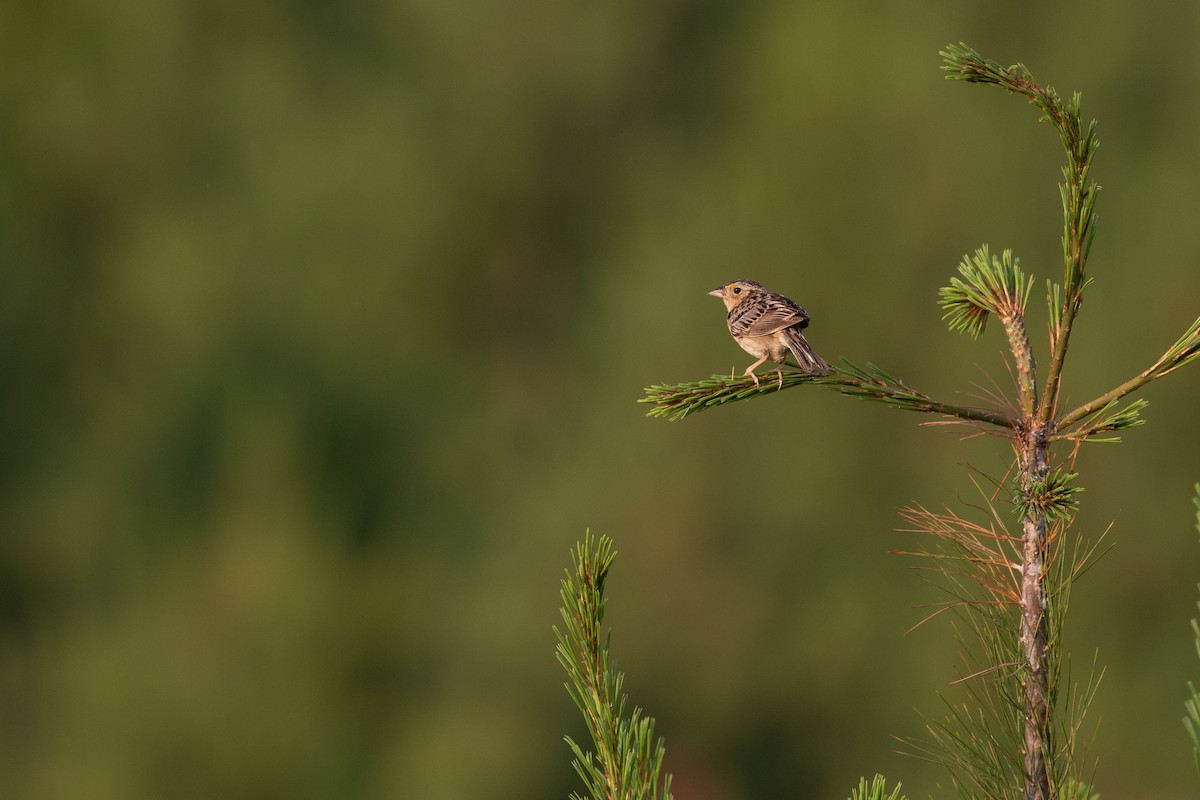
1034 623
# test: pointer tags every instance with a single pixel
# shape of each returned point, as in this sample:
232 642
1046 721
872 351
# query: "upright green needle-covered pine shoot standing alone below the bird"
628 760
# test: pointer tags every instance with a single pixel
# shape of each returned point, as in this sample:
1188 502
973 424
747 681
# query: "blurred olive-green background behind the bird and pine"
322 328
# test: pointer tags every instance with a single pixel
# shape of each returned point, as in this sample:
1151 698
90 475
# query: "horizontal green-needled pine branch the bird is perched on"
675 402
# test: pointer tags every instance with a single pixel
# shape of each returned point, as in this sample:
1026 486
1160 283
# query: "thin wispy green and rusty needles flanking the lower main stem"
971 560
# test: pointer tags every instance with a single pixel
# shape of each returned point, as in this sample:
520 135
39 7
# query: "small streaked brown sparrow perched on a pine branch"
769 326
